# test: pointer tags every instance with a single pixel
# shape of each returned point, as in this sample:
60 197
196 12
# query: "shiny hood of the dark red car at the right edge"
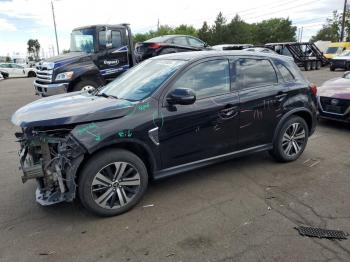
336 88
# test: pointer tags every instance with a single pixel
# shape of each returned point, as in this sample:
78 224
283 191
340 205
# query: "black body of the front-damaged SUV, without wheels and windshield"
169 138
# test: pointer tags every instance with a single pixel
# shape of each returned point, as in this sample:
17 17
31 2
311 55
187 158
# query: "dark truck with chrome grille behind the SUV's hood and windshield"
97 53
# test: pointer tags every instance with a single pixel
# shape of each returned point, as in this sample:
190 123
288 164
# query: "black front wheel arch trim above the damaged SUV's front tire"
138 150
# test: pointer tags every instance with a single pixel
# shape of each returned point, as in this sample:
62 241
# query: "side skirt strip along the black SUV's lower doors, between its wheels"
208 161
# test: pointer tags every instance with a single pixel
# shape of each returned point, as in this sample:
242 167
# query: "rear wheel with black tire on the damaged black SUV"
281 144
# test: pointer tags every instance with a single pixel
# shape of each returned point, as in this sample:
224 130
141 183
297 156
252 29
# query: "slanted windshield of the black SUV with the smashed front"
142 80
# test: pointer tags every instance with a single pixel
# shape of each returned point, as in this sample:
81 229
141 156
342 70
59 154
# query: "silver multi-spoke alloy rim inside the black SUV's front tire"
115 185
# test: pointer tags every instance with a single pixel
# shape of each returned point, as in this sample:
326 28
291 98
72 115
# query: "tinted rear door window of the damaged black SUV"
255 72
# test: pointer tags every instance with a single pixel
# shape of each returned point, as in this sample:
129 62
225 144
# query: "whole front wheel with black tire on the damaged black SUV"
96 166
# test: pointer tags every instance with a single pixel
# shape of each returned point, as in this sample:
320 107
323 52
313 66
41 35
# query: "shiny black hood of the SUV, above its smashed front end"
70 108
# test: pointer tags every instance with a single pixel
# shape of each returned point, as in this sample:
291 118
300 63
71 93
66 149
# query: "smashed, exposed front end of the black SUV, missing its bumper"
52 157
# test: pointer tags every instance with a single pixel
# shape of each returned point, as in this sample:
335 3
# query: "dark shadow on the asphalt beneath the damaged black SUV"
165 187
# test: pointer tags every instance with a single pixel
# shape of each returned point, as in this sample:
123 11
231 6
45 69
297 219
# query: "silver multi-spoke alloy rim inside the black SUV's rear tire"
293 140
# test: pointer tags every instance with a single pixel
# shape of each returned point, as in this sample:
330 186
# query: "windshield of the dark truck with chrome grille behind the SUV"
83 40
